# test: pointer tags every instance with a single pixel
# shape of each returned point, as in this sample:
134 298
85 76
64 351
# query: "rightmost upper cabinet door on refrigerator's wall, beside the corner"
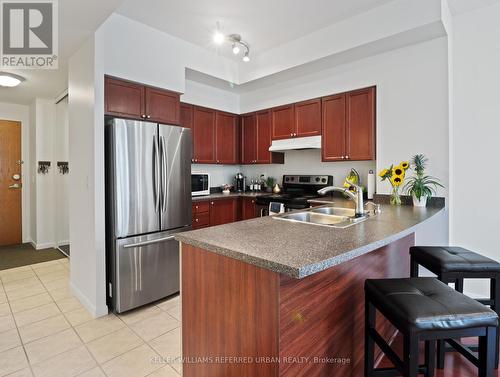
226 138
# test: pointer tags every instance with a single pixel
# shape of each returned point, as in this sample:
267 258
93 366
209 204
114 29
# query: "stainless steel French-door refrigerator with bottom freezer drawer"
148 201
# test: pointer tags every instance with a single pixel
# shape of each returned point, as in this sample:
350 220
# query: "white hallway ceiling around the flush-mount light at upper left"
77 21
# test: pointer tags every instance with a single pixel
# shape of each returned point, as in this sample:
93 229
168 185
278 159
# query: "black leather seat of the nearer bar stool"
422 304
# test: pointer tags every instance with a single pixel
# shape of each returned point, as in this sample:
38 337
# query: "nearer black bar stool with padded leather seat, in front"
425 309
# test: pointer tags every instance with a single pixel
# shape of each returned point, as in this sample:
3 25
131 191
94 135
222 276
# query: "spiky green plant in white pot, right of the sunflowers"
421 187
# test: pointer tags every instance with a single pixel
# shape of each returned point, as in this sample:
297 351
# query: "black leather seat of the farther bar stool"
452 259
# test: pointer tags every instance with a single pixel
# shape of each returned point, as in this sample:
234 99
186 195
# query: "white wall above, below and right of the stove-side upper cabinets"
412 112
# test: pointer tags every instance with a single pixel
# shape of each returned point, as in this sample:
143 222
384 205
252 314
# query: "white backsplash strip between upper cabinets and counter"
296 162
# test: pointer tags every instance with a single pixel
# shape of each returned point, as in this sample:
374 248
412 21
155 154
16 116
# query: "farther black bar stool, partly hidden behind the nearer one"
453 265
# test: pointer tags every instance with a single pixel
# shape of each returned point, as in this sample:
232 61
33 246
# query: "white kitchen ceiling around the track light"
264 24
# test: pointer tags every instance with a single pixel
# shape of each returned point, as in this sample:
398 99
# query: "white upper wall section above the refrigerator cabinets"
143 54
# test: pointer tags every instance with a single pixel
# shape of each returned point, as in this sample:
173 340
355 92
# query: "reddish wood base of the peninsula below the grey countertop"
314 325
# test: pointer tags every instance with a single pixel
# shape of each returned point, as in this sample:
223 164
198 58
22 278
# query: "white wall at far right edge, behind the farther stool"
476 75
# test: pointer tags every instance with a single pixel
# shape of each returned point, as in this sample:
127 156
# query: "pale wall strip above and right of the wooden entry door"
21 113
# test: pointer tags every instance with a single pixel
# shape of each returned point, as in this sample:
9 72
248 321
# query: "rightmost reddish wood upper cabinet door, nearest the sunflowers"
360 120
